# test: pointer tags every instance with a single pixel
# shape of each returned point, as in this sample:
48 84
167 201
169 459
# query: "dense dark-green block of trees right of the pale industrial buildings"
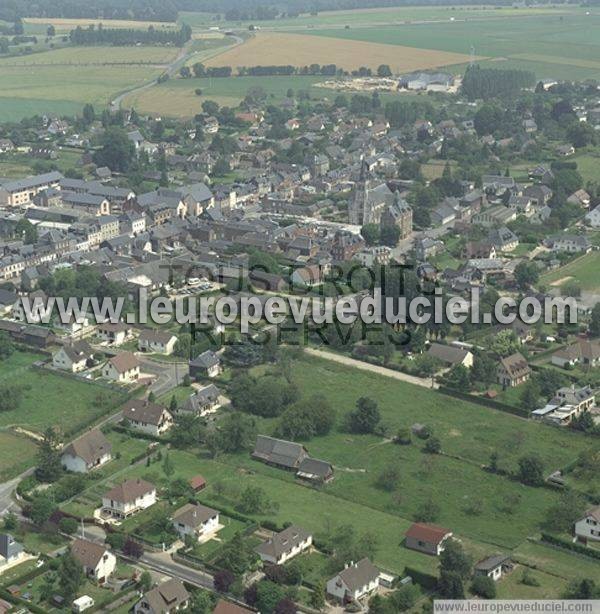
489 83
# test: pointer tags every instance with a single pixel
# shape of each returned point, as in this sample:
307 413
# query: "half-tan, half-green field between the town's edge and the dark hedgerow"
177 97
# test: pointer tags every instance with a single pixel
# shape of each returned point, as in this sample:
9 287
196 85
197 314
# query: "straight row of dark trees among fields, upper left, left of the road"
122 36
